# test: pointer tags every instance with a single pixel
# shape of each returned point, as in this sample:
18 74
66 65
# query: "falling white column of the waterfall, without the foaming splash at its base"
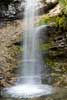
31 60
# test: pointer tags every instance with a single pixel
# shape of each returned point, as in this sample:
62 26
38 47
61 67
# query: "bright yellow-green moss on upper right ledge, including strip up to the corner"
61 21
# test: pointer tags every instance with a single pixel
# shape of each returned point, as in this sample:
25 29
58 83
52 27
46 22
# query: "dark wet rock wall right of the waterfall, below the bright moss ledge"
55 54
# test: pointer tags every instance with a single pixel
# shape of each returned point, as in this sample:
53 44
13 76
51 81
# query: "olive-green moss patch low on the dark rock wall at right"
56 65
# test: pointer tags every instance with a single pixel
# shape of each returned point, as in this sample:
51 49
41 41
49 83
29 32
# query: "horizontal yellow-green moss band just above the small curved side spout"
60 21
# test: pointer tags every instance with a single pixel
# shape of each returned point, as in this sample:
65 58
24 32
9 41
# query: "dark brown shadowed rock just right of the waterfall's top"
47 5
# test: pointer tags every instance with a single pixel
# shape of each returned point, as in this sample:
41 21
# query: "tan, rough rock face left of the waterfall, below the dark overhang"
10 36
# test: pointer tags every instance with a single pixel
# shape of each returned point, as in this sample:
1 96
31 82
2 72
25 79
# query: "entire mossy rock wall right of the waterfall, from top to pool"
56 44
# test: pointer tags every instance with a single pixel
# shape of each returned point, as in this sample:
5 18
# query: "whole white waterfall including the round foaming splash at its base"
30 84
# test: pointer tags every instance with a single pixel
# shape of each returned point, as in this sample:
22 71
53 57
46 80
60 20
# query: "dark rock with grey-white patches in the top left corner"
11 9
